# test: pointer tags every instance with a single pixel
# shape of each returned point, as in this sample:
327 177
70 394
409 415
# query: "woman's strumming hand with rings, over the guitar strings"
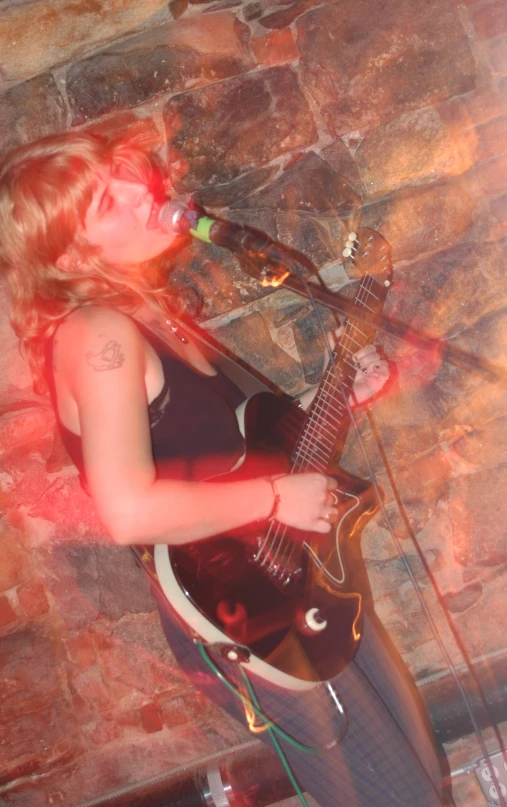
306 501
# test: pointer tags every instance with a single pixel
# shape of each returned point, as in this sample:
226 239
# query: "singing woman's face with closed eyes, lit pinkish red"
122 220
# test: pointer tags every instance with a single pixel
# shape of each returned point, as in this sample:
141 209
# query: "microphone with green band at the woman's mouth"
177 217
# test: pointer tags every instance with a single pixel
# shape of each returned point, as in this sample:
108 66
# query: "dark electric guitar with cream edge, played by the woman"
285 603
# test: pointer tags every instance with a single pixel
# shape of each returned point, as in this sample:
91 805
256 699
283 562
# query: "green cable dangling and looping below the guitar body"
250 702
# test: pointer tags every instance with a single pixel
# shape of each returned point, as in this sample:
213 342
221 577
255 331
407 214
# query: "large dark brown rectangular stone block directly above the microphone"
224 130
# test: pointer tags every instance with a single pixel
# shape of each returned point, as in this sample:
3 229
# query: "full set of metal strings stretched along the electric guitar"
285 549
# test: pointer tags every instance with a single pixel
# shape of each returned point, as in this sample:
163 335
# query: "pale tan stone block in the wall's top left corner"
36 36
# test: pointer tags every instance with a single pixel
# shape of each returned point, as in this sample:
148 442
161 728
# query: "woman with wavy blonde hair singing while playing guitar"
79 246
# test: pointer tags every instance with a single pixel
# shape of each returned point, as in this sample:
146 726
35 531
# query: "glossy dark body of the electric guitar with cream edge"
299 611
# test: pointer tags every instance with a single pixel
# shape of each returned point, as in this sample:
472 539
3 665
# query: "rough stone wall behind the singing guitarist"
275 114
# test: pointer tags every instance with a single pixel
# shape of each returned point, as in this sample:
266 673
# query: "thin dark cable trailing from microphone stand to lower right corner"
401 553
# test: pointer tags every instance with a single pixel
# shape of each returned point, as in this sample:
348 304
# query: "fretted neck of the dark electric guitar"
328 417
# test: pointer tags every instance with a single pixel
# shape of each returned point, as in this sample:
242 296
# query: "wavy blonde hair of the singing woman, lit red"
45 190
